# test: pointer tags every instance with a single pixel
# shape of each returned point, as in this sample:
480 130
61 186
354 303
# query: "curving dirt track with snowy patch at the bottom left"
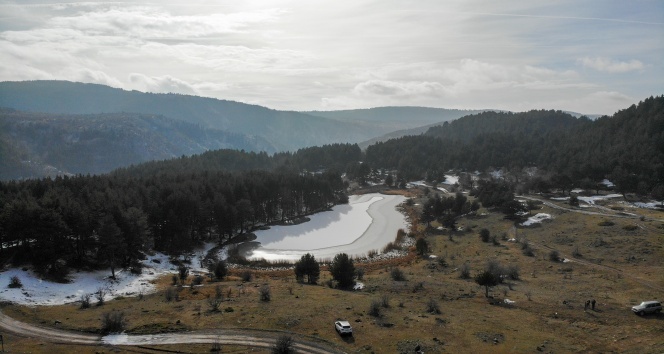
252 338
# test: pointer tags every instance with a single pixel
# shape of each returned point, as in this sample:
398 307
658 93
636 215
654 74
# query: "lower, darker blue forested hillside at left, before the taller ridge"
35 145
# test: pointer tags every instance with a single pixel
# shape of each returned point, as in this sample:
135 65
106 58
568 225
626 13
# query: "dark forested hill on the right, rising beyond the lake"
627 148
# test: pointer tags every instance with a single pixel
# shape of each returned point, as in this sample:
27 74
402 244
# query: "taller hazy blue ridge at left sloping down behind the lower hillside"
284 130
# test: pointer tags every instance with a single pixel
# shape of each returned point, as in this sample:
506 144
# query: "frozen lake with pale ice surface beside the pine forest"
368 222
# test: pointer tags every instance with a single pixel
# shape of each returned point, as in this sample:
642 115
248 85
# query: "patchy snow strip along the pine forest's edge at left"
36 291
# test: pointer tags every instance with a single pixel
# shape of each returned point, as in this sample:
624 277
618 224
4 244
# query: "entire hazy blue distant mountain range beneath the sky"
54 132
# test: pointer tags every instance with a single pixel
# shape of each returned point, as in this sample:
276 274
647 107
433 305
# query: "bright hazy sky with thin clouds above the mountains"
591 56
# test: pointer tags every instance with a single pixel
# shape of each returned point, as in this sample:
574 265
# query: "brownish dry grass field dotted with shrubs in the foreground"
618 263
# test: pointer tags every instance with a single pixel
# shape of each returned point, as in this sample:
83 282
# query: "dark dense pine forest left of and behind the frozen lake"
87 221
